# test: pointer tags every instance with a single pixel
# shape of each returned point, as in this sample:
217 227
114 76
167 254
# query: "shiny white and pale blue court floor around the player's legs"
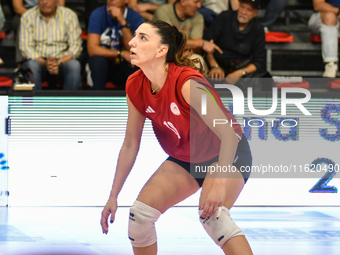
76 231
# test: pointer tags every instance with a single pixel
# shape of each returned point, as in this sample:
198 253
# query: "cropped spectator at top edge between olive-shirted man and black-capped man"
211 8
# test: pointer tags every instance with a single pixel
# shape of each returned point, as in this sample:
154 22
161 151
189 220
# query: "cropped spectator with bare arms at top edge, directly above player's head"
147 8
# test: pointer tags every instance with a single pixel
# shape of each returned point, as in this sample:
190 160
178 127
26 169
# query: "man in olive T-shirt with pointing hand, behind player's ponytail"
183 14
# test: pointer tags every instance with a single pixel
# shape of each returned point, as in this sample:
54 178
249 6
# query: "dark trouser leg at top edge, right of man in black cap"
273 11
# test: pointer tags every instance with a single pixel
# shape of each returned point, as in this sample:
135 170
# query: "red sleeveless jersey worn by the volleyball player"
179 129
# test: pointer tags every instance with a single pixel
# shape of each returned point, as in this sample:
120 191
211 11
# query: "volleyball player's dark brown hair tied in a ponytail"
176 41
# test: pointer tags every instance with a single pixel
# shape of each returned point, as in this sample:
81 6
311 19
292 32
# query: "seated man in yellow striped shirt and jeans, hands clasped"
50 40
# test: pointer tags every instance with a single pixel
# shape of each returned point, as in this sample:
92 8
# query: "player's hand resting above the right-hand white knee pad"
214 199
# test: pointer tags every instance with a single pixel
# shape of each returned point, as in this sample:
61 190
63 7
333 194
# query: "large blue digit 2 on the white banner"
321 185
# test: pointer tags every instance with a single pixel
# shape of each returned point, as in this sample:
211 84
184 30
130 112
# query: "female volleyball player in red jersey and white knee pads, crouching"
168 90
